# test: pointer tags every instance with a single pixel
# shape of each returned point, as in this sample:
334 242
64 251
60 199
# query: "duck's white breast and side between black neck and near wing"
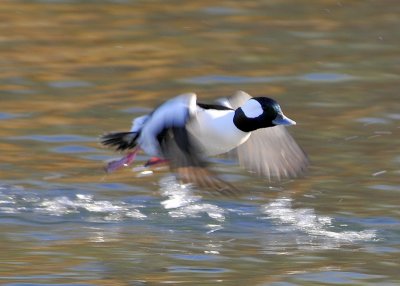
215 131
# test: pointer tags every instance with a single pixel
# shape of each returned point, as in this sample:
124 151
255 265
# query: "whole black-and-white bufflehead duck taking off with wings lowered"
183 132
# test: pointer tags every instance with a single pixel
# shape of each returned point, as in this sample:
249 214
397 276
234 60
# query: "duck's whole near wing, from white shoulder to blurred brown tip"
181 149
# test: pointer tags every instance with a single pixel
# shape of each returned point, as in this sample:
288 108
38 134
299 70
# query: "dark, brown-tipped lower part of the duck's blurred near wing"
184 157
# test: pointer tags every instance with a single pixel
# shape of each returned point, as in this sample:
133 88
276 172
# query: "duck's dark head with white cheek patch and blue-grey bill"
260 112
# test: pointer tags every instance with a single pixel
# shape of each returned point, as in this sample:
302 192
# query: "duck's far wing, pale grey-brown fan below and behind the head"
269 152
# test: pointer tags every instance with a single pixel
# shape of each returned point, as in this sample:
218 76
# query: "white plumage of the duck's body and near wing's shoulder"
213 130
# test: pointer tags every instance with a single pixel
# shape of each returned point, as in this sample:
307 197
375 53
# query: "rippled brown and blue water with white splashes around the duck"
71 70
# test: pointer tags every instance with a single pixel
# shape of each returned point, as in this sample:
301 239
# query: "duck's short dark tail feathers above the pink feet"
120 140
